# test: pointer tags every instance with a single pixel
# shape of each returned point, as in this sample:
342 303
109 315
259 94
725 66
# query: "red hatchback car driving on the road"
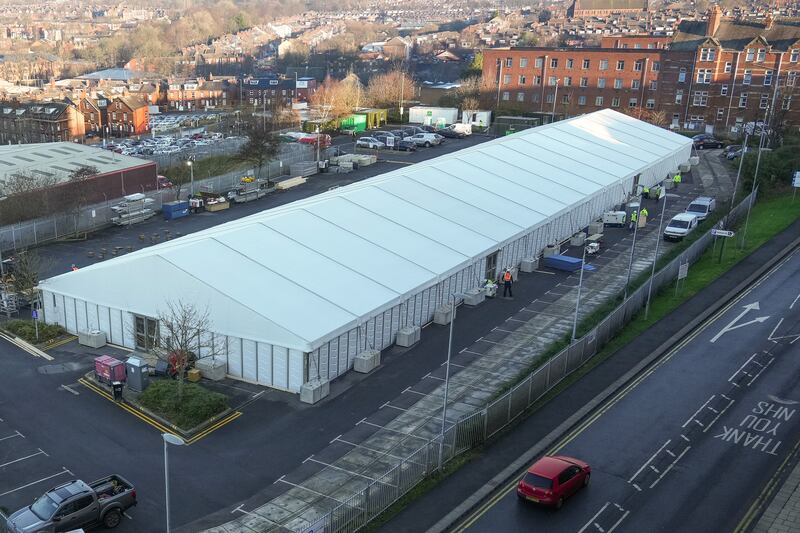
551 480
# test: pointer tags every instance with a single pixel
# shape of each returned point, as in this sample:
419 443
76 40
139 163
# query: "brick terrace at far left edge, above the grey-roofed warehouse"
40 122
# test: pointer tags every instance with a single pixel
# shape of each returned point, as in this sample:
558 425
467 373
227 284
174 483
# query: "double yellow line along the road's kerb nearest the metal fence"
511 485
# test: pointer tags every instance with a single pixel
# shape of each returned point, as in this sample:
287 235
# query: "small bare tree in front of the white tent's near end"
184 337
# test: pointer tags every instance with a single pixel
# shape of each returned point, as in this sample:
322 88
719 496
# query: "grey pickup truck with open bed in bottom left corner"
74 505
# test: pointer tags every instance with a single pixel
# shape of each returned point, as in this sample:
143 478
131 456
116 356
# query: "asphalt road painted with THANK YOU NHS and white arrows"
692 443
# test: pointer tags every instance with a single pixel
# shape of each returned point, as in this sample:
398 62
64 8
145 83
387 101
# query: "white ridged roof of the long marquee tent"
300 274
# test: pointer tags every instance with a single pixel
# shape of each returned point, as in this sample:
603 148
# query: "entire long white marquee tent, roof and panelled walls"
294 293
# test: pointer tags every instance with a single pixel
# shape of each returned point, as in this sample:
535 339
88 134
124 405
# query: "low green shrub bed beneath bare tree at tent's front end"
197 404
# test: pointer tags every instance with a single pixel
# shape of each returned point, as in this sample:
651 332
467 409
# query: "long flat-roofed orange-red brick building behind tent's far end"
574 80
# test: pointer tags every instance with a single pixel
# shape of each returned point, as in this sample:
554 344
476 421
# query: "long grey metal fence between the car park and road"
475 428
